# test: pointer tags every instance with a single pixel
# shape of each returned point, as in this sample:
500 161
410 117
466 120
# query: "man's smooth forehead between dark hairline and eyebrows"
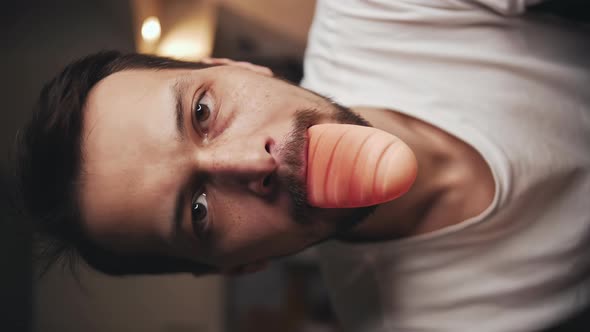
128 139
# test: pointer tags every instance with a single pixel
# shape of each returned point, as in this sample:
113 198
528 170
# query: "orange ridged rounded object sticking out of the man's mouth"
352 166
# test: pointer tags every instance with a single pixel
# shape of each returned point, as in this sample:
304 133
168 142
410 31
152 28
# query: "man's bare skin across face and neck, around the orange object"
248 158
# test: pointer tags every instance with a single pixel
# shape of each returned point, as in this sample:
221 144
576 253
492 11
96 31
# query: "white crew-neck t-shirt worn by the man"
516 88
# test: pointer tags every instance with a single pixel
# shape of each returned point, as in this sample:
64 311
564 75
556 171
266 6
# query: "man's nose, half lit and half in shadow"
247 163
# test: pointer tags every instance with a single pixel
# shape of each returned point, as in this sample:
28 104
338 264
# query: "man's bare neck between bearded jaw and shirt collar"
435 154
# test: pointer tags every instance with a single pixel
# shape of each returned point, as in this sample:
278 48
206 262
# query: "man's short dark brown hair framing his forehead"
49 163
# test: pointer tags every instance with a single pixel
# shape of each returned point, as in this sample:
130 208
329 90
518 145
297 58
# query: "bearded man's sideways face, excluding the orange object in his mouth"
207 165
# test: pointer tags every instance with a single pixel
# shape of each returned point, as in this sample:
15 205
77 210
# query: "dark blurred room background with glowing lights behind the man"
38 39
